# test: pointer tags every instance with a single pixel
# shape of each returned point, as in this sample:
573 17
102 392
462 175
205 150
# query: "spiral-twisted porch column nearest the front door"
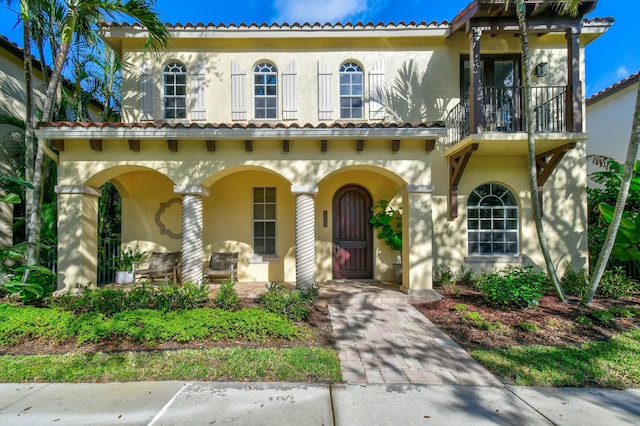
305 235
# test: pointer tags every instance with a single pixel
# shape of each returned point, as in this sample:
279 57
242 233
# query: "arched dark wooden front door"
352 234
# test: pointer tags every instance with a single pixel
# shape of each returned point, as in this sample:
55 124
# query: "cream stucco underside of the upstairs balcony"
513 144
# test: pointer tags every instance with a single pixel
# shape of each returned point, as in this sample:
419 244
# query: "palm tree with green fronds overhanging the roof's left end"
79 19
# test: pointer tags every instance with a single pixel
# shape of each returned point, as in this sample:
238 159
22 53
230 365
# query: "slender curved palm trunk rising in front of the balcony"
531 145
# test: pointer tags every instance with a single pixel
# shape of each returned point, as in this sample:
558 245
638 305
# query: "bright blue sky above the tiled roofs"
610 58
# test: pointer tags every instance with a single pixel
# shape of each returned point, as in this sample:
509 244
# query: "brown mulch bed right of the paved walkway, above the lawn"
558 324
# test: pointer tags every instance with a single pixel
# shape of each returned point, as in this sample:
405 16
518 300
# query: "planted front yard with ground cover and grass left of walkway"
167 332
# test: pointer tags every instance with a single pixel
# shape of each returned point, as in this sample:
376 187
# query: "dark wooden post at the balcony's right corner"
574 85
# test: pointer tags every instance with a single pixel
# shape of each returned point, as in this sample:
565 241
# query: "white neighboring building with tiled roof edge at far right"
609 119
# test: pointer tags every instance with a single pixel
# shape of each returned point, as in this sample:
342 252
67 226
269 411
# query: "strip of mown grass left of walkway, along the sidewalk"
298 364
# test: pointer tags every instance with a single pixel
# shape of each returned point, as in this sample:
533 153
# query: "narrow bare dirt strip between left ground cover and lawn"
318 323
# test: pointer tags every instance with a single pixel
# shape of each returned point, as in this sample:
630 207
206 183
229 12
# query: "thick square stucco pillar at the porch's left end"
77 235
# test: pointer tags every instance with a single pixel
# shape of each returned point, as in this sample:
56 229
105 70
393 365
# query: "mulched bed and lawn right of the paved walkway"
551 343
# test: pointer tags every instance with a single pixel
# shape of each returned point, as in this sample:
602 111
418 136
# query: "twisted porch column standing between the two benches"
191 259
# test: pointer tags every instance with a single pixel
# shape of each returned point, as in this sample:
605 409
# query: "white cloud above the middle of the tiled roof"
318 10
